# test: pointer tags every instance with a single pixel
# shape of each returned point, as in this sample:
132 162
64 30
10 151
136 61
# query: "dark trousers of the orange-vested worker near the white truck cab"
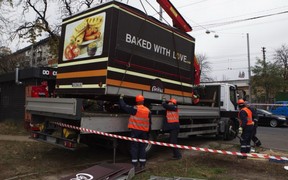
246 139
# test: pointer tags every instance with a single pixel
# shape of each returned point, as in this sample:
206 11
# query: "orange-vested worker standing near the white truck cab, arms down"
246 126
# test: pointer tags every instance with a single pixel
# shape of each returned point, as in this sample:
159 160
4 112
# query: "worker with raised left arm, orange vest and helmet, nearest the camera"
140 126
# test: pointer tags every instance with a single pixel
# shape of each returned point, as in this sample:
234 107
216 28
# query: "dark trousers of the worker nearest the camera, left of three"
137 148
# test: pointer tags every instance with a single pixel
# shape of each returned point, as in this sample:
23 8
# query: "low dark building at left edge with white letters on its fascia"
14 91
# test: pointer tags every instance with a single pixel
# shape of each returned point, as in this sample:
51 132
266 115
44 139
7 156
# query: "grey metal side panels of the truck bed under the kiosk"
70 109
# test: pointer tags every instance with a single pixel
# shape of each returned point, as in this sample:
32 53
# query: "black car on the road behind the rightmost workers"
267 118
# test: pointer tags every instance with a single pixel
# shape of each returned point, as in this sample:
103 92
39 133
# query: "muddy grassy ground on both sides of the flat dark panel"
35 160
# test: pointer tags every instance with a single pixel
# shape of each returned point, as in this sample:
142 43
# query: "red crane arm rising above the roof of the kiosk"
178 21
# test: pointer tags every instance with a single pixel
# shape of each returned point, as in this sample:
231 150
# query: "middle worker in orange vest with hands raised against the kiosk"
171 124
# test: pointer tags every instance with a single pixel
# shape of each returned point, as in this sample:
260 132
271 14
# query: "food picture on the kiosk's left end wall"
84 38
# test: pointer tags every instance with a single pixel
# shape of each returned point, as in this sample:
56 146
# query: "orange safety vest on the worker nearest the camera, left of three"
140 120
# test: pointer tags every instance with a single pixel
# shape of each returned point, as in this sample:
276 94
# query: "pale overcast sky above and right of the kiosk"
230 20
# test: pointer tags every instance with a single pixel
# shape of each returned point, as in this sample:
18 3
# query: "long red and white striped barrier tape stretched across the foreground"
254 155
